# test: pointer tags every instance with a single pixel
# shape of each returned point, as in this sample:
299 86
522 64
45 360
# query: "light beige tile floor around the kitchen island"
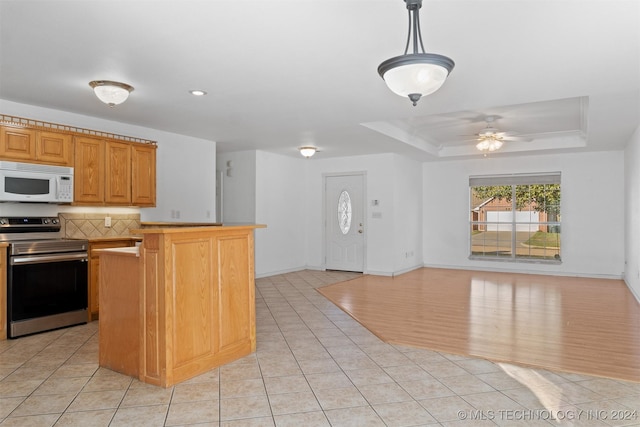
314 366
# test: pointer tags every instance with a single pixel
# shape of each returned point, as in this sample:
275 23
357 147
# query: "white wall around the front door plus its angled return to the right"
389 179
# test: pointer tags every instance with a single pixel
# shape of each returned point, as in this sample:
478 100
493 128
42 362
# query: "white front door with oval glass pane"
344 222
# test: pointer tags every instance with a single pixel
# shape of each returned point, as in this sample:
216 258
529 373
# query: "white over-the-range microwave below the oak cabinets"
30 182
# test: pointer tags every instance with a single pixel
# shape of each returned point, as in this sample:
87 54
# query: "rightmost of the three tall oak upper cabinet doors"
143 174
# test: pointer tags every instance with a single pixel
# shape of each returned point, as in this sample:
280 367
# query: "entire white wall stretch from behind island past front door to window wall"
286 194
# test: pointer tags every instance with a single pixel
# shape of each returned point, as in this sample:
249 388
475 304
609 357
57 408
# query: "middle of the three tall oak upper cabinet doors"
118 173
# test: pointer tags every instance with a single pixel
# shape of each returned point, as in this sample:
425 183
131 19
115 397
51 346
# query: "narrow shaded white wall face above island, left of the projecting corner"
238 186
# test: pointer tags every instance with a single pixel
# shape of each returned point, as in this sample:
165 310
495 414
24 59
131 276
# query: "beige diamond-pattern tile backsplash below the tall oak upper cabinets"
91 225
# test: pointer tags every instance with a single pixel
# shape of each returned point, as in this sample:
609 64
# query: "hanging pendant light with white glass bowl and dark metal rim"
415 74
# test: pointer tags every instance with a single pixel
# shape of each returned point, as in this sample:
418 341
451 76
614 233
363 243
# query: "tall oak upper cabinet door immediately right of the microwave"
88 171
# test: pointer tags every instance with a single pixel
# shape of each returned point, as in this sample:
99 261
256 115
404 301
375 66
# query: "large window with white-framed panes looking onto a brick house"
515 217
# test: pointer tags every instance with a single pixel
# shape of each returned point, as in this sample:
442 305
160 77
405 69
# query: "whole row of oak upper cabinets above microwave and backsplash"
109 169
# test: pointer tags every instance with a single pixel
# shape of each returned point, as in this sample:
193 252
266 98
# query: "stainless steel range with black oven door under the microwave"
46 276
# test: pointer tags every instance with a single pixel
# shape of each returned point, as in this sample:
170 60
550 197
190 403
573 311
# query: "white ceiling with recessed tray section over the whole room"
563 74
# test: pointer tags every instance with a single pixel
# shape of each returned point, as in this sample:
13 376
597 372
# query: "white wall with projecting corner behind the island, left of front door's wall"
266 188
